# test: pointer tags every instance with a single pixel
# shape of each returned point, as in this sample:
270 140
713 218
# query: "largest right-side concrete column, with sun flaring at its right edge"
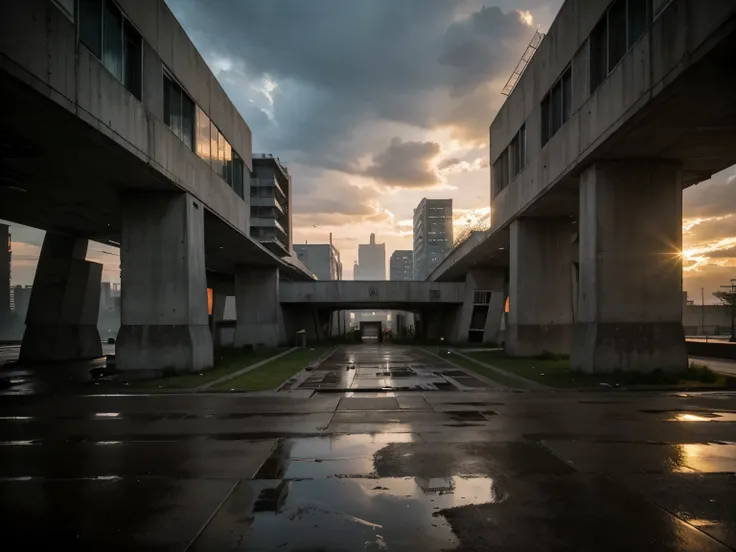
630 274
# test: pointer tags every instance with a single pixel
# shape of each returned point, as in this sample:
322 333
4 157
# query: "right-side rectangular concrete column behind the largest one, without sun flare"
540 291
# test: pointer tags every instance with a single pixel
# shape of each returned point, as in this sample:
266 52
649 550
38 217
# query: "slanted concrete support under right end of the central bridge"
482 280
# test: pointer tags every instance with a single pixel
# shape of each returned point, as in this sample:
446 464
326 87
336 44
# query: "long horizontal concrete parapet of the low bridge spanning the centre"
366 294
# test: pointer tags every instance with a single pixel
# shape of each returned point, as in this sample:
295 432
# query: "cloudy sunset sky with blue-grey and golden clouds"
374 104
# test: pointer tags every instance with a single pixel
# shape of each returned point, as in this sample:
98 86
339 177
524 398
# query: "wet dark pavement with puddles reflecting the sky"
304 470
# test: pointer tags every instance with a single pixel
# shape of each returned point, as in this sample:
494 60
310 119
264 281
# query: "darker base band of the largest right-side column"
644 347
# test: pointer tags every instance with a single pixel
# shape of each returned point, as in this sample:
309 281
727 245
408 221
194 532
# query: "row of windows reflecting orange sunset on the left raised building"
199 133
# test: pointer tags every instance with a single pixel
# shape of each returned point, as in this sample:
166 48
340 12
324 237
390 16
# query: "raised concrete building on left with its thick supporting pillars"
118 147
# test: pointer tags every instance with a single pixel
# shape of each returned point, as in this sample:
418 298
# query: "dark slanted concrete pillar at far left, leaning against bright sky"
61 323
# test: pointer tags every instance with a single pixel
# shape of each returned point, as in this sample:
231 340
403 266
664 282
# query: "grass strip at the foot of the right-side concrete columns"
554 370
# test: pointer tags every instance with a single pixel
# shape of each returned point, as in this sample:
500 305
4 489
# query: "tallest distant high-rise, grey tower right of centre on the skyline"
432 235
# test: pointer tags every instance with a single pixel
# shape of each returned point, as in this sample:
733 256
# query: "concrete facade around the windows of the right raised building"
670 46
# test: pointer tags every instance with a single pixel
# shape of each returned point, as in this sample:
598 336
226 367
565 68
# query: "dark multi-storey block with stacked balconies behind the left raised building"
270 204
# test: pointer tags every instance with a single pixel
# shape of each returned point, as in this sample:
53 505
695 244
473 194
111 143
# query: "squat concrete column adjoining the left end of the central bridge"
258 308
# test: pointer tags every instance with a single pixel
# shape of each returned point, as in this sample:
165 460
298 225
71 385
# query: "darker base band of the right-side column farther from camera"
536 339
